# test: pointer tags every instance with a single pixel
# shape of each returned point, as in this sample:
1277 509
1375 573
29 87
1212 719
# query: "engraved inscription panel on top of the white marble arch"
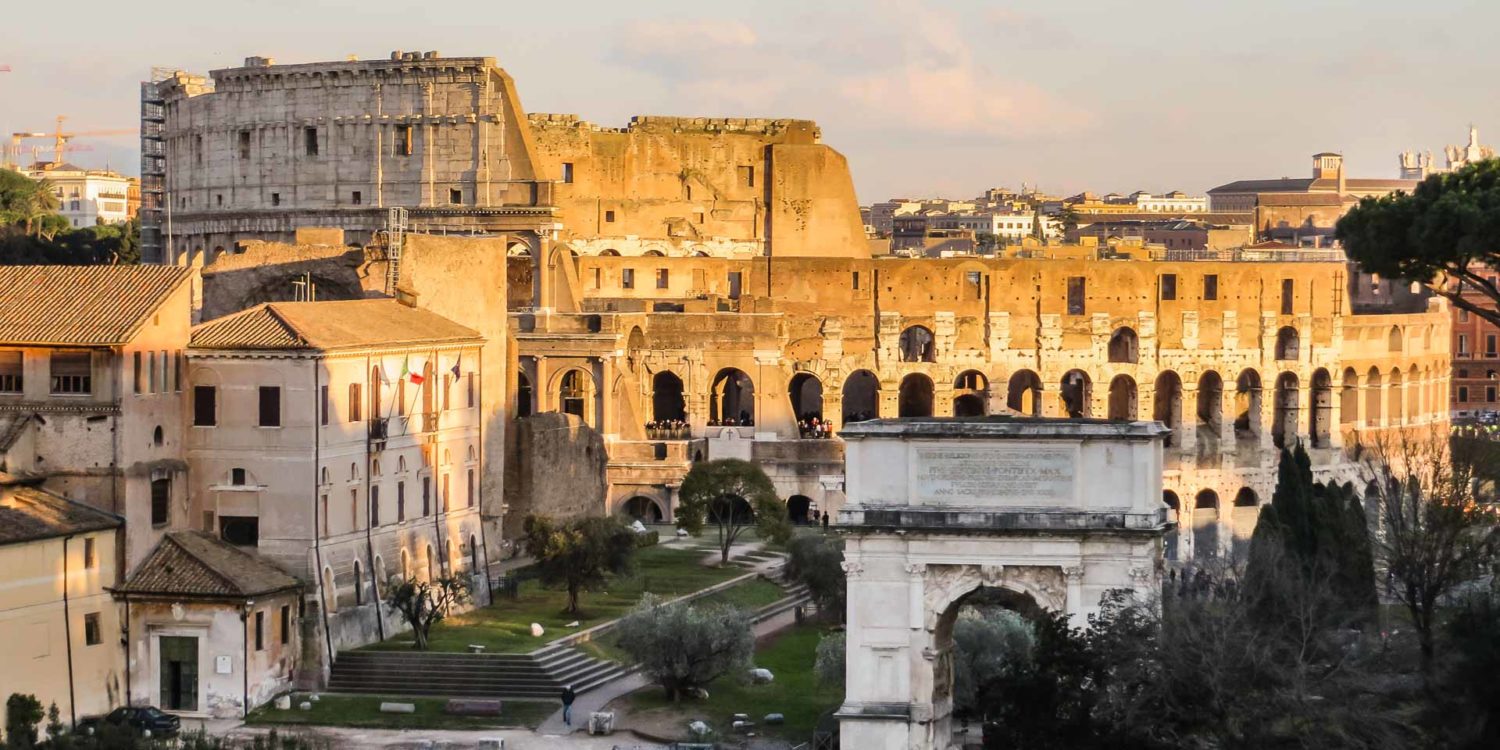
995 475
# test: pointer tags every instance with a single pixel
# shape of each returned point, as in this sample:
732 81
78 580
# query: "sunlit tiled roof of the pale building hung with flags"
323 326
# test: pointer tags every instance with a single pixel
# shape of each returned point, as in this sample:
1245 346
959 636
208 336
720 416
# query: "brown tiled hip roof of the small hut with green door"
194 565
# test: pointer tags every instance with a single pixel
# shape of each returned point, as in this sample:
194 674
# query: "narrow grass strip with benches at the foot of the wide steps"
364 712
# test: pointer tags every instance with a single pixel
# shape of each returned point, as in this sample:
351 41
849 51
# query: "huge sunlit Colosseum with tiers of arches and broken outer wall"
698 289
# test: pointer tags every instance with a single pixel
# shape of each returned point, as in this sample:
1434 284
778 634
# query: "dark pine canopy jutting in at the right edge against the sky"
1438 235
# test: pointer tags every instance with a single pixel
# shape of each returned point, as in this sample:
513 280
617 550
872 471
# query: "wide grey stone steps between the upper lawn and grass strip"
539 674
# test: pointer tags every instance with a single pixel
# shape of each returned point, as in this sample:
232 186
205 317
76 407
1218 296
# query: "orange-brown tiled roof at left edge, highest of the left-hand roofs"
82 305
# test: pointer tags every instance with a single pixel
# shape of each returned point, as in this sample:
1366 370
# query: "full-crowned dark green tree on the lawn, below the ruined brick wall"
580 556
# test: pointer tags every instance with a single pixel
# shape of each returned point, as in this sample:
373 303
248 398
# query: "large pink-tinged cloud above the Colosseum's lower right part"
907 70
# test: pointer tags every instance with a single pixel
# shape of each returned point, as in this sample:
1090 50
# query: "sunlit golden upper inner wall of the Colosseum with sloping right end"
685 187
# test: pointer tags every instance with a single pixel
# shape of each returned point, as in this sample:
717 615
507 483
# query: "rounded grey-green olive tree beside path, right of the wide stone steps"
682 647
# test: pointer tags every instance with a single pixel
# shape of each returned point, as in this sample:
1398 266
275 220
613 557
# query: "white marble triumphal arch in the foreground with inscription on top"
1054 514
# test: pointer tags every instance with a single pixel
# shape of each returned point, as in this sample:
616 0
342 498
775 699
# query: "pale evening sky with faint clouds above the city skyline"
923 97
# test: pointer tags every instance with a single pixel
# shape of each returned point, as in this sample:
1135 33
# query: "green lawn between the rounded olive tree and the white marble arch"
796 692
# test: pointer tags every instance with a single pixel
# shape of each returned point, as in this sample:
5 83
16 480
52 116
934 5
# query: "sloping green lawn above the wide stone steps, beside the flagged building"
505 628
